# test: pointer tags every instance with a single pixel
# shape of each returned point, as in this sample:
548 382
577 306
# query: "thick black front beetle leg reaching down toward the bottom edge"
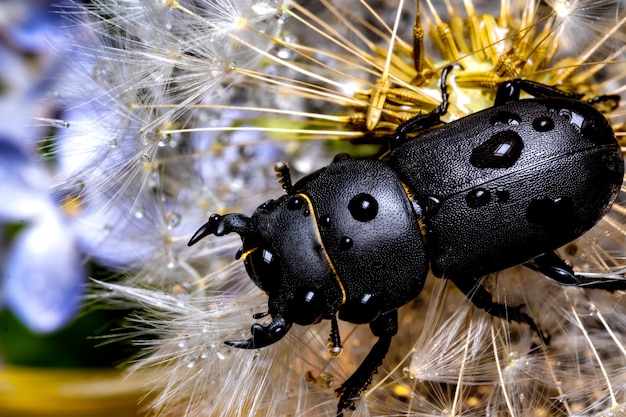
385 327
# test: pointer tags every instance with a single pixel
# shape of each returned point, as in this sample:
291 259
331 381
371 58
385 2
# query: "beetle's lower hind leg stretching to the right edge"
555 269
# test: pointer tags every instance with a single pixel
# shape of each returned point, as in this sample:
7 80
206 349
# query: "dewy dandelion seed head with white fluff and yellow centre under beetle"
192 102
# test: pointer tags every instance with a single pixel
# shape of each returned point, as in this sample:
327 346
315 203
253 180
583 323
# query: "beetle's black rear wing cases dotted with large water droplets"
511 182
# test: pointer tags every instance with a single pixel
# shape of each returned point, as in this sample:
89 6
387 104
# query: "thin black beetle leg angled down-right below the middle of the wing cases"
483 299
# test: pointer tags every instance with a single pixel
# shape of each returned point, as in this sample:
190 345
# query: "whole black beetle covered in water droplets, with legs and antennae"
502 187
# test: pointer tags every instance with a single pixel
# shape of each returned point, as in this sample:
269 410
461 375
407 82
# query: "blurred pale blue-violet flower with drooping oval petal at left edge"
43 274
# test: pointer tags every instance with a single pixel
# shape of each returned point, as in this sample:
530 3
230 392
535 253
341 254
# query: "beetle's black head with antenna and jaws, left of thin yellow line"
284 257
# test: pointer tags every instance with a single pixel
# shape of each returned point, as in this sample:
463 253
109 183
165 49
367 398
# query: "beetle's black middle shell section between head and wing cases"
377 252
